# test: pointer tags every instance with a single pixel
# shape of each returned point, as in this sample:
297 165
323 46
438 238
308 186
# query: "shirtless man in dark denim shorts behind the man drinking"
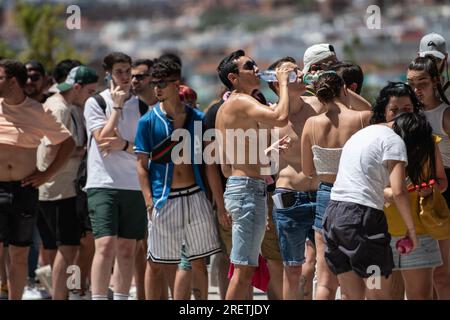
297 193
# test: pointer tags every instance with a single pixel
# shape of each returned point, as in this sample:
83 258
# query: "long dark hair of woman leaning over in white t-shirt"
416 132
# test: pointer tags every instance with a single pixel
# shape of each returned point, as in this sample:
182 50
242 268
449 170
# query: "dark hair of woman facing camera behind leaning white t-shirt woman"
393 89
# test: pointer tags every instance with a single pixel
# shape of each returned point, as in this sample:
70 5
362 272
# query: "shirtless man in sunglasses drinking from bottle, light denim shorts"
245 193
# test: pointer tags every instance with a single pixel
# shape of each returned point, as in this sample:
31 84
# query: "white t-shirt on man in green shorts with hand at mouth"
118 169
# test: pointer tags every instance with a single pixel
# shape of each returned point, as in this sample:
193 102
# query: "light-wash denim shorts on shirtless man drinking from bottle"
245 200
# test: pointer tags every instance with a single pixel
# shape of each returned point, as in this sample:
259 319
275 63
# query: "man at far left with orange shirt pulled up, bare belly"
19 177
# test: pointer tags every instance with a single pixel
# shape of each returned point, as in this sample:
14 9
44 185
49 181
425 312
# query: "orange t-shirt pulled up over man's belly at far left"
24 125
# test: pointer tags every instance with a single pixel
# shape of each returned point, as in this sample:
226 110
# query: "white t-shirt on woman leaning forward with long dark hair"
363 173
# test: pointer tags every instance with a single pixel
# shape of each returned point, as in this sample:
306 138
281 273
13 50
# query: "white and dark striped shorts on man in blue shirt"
187 218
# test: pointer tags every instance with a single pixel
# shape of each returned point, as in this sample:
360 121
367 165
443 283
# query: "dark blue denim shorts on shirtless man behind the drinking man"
293 225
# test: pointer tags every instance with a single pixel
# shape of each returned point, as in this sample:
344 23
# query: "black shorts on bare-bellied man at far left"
18 213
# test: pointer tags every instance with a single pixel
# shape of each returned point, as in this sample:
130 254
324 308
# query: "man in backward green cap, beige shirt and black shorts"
58 221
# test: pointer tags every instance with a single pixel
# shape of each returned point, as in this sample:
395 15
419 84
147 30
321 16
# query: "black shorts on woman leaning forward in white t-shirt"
357 239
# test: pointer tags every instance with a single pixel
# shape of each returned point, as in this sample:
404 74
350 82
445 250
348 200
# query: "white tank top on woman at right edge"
435 118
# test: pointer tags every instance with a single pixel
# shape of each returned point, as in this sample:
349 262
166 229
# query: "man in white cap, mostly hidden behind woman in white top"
319 57
